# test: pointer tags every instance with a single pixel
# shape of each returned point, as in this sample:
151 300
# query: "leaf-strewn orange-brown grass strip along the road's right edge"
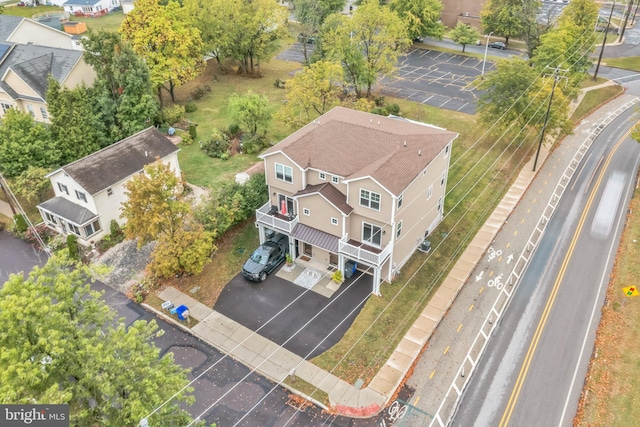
613 382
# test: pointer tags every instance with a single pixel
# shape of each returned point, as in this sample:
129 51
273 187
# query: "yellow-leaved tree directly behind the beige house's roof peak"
312 92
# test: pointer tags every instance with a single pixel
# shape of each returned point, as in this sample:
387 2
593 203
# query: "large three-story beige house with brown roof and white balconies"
354 186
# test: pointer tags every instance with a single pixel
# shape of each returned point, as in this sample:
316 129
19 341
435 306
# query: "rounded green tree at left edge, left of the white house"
24 143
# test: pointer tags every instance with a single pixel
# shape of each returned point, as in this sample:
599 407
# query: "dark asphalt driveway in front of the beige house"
301 321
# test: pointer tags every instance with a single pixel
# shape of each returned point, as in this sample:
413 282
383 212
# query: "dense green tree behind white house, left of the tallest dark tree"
75 129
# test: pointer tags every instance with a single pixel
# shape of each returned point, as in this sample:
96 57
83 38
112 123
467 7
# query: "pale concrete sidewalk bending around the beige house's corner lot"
276 363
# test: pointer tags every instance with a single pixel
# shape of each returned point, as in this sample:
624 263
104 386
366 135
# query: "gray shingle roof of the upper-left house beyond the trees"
34 64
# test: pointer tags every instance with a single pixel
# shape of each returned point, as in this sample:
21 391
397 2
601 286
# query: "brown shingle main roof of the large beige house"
354 144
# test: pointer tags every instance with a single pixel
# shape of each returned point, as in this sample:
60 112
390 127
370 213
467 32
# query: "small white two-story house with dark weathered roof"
89 192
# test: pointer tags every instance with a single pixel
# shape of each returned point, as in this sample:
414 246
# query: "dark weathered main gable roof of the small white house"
104 168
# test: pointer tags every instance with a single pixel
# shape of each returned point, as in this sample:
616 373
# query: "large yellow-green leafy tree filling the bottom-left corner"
60 344
